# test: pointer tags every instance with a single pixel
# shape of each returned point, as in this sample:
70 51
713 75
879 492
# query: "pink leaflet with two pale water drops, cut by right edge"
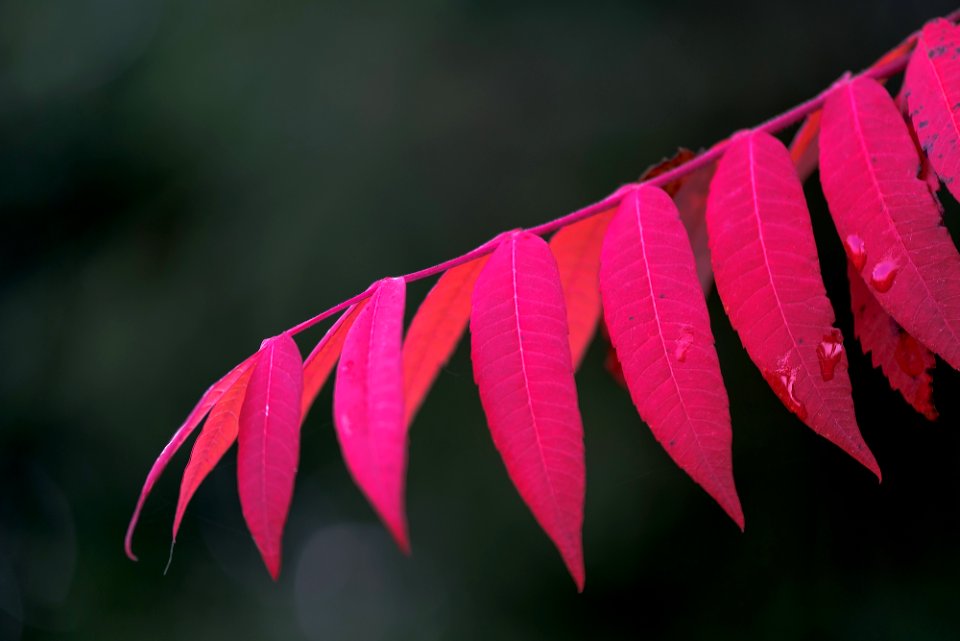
887 217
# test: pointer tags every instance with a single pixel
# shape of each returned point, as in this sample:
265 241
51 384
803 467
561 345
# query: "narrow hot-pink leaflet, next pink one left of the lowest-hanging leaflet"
368 406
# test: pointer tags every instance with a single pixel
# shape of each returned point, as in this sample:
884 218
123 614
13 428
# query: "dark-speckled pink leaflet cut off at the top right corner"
932 90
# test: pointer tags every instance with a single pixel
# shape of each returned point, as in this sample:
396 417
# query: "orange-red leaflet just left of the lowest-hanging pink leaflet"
435 331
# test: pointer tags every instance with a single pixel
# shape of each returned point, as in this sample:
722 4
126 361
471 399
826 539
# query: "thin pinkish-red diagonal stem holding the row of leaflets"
771 126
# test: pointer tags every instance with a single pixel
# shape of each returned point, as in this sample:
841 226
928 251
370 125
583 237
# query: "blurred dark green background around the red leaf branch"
180 179
